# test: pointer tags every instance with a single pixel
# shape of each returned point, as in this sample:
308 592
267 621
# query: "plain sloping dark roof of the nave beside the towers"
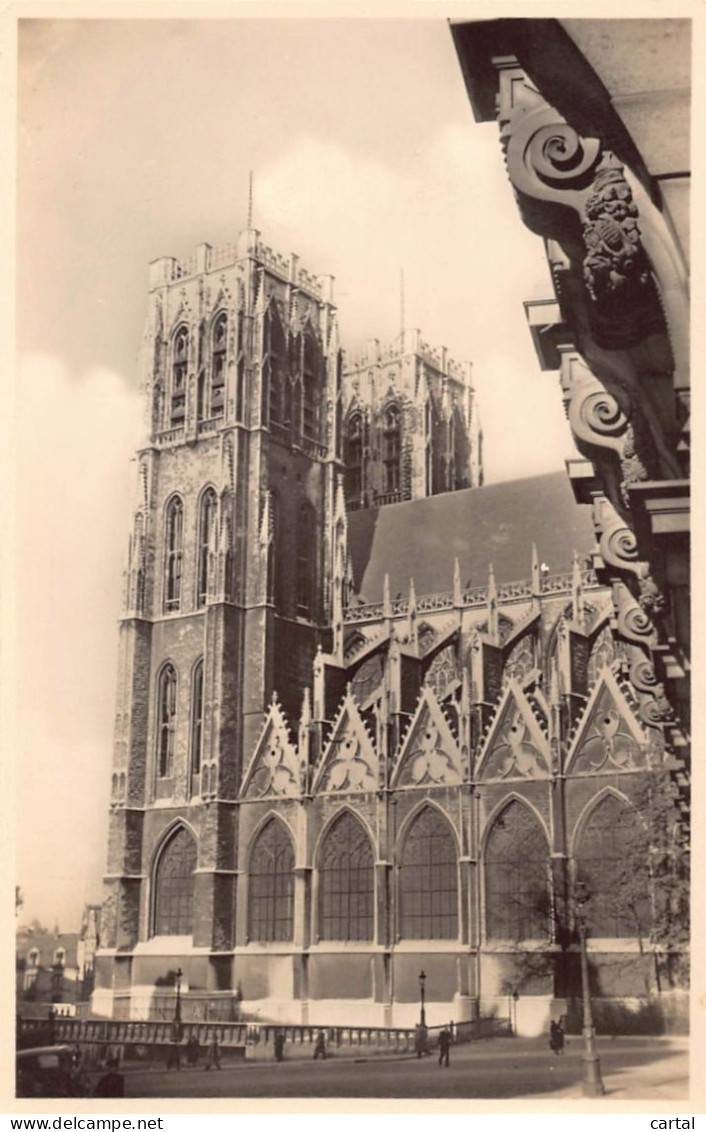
493 525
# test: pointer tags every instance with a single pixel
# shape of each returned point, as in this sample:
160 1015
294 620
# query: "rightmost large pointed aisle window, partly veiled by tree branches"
617 910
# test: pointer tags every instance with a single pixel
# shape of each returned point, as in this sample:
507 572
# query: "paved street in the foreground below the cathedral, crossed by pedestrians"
503 1069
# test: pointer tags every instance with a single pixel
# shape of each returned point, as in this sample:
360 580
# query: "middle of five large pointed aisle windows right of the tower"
429 880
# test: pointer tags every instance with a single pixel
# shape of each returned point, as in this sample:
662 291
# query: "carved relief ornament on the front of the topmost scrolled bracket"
615 261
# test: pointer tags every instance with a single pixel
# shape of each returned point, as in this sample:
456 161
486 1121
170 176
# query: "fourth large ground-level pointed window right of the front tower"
518 894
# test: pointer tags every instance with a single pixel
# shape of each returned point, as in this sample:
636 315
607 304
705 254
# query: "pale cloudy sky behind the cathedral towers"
136 141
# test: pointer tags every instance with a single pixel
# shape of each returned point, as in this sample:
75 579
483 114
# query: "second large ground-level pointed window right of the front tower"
347 882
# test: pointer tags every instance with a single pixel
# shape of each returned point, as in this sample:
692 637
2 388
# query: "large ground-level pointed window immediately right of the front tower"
271 886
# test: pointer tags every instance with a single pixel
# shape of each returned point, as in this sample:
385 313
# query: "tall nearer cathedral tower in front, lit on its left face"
226 597
